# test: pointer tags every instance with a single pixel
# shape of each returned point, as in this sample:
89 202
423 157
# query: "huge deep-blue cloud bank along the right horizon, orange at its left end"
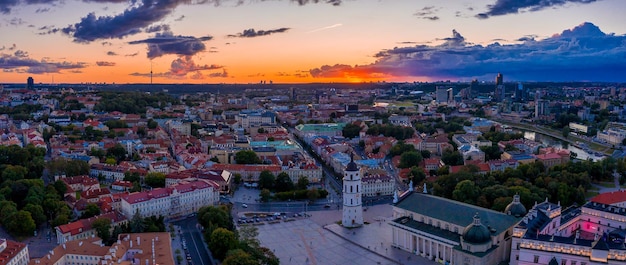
580 54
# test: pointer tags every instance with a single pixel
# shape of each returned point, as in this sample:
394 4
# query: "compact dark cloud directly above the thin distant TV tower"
167 43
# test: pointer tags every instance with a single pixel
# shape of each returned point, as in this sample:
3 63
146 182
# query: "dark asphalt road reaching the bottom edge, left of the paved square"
195 243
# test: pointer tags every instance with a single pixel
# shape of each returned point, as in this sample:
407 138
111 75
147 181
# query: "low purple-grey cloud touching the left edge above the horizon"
20 62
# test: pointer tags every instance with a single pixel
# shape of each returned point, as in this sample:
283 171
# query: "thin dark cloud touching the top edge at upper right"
504 7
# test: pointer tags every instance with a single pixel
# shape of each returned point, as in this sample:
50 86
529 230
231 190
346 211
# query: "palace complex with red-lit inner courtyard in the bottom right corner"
587 235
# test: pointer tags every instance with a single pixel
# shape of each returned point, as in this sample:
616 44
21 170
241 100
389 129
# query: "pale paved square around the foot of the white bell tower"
320 240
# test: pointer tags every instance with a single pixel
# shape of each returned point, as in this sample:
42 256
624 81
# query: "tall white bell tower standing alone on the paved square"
352 188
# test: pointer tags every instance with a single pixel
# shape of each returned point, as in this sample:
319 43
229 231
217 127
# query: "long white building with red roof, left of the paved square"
174 201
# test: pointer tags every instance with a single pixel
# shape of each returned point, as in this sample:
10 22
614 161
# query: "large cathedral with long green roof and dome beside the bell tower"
451 232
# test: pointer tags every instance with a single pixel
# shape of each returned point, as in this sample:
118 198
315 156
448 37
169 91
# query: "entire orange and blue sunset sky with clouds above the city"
302 41
